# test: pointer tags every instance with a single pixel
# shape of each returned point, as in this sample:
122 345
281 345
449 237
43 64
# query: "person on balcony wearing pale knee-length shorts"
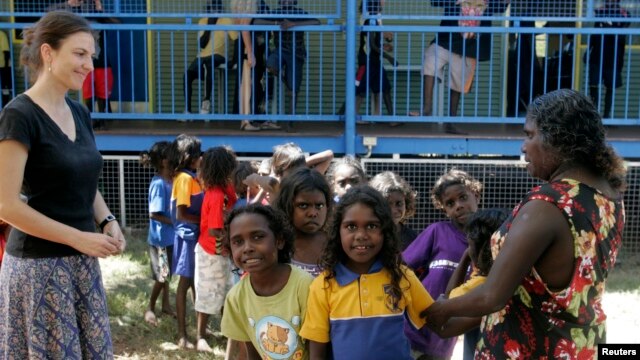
460 50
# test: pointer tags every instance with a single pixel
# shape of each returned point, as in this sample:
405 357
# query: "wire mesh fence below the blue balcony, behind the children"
124 185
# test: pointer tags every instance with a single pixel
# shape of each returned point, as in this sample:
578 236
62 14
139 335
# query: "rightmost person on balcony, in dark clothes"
605 57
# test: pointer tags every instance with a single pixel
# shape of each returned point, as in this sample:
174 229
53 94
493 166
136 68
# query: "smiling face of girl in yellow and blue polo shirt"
361 237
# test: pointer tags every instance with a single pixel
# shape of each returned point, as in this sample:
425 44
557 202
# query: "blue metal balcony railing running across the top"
533 47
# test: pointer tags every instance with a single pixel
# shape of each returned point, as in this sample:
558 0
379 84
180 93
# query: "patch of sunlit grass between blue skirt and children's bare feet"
128 284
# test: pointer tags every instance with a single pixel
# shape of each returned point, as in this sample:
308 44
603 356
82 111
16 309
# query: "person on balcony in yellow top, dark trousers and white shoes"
213 52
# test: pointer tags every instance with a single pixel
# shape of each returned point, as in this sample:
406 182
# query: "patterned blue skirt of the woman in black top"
53 308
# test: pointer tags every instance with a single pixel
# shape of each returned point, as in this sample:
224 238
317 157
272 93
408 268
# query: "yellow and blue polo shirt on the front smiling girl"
356 314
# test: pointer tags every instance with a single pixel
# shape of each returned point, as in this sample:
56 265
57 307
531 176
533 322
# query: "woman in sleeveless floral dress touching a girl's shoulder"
543 295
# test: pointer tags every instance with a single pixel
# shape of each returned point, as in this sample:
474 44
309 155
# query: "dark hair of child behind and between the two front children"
303 179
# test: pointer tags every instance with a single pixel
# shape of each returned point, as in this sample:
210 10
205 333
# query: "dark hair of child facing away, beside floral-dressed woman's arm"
479 228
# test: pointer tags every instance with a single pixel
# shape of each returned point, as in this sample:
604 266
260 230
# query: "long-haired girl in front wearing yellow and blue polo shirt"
365 292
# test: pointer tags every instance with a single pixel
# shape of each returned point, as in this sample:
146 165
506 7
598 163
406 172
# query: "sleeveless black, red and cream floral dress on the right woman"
538 323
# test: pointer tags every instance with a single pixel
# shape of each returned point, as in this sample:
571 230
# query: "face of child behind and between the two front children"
309 211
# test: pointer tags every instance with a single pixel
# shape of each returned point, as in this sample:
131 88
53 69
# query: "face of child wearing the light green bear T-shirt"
254 247
